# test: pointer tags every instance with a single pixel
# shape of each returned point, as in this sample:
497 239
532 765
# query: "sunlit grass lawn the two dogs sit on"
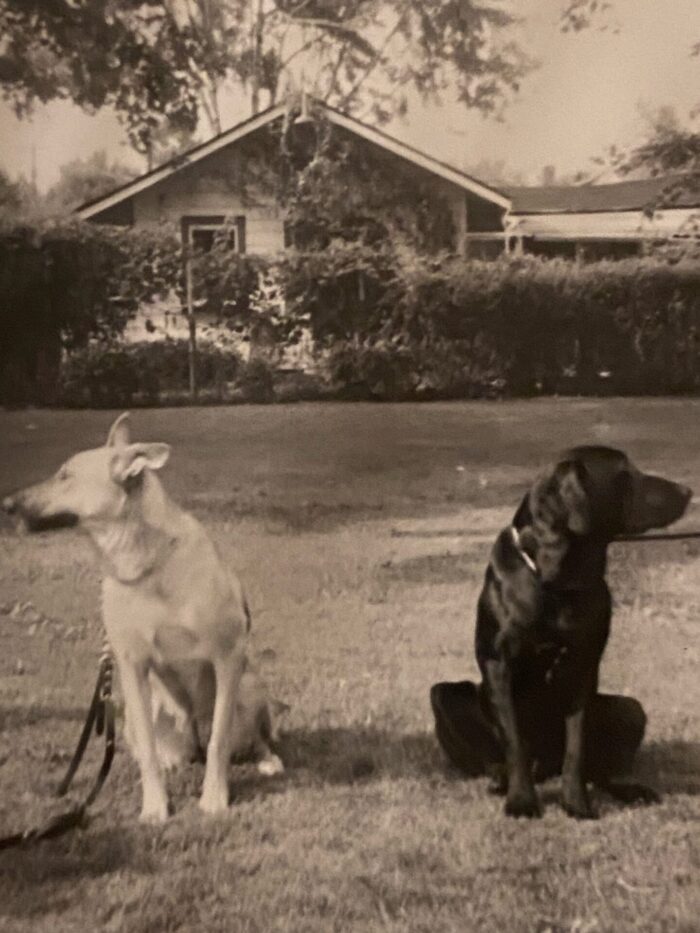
368 829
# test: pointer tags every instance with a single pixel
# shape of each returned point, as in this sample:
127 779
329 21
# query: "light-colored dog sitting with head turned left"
175 616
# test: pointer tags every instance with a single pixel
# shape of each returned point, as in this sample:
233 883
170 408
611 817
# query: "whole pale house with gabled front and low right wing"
227 181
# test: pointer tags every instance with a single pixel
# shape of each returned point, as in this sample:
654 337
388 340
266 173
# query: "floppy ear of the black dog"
560 499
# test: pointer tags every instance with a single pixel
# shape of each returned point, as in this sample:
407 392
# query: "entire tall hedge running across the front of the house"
387 322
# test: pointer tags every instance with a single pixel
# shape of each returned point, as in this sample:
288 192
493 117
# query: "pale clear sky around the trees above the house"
588 93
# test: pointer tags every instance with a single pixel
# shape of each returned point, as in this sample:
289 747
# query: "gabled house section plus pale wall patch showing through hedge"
227 179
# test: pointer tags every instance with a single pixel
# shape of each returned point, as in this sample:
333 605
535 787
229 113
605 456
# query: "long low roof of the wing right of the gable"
619 196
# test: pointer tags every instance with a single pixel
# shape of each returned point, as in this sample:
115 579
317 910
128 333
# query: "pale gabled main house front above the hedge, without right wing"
202 188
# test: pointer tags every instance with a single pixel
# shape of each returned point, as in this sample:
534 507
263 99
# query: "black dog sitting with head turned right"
543 620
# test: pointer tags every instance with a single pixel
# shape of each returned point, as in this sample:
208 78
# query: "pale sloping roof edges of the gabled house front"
371 134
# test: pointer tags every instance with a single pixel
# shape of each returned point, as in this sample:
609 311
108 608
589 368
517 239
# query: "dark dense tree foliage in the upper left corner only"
124 54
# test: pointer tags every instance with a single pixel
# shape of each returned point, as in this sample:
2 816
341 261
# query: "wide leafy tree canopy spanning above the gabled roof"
156 60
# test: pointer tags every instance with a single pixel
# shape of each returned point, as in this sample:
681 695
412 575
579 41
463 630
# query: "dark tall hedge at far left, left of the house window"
64 284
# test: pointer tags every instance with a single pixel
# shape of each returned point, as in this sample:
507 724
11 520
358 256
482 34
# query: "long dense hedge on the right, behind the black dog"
396 325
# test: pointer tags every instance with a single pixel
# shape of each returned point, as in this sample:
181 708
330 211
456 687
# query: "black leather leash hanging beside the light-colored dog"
100 719
